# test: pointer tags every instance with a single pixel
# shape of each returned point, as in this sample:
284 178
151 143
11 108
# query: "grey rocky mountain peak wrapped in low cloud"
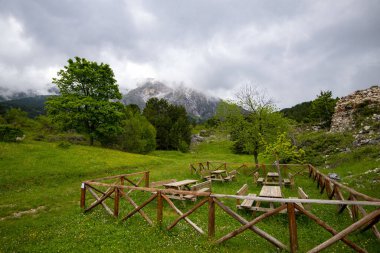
198 105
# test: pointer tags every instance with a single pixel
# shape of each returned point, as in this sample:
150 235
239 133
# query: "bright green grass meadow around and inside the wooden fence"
42 181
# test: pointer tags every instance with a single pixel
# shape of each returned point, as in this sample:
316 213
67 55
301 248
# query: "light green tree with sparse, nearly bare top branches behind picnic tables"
257 124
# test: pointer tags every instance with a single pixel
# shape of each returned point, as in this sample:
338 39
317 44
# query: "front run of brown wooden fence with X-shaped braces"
120 187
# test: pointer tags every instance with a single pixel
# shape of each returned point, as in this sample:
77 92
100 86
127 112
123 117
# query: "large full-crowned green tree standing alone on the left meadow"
86 103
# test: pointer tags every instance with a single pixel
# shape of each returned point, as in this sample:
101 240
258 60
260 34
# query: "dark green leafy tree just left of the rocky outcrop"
322 108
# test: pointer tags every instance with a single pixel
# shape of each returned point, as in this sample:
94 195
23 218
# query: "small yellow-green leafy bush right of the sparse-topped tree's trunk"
284 151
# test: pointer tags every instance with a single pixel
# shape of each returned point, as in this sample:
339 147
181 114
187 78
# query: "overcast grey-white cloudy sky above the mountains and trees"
292 49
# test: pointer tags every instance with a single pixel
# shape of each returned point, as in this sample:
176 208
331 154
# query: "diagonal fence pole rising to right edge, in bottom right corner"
355 226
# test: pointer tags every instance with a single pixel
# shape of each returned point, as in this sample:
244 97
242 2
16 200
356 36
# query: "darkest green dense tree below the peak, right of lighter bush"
171 123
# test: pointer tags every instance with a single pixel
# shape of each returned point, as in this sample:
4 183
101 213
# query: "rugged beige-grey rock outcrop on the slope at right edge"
350 110
